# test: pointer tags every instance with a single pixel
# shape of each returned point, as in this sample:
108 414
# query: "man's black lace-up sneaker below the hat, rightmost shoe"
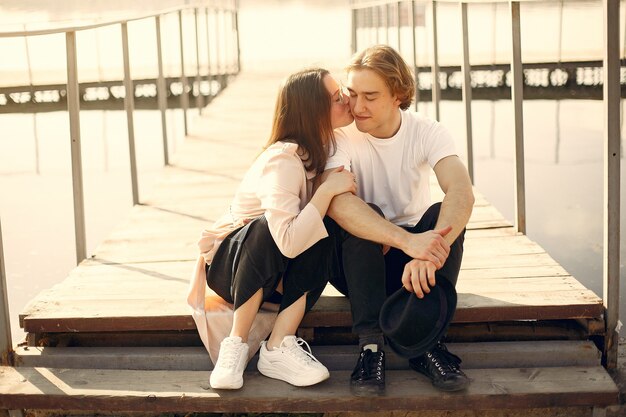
442 368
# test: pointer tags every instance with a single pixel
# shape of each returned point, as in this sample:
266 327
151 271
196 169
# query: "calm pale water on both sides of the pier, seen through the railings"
563 140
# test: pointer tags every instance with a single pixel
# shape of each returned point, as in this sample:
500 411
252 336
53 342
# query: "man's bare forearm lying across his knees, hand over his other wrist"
359 219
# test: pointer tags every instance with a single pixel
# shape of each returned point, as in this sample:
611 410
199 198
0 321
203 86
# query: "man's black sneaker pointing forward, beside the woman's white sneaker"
368 377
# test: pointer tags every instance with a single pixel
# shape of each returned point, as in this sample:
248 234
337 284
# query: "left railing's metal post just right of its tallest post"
129 106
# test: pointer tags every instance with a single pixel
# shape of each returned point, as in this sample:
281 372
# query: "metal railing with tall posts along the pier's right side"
367 14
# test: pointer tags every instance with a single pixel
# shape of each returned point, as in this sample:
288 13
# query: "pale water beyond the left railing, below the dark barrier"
36 203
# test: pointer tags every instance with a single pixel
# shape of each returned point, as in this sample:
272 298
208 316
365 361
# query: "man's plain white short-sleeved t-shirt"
394 173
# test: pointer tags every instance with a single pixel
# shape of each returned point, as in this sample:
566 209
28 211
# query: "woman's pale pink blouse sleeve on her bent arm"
294 231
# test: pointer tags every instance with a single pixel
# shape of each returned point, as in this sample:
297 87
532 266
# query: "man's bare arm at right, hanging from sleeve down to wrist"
458 202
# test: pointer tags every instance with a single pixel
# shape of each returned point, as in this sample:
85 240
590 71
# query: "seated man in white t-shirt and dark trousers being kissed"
391 152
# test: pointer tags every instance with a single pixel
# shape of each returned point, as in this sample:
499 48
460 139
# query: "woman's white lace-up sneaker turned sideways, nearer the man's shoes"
291 363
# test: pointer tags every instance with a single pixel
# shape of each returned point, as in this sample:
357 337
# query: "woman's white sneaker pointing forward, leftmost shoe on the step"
228 371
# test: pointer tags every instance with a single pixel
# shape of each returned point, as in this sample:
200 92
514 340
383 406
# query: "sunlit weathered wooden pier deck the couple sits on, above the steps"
137 279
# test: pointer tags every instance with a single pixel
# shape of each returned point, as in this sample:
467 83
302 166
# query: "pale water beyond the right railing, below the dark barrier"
564 176
